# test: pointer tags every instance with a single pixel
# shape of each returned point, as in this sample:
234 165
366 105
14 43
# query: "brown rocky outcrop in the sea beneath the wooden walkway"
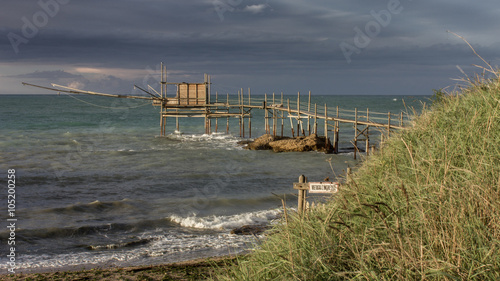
286 144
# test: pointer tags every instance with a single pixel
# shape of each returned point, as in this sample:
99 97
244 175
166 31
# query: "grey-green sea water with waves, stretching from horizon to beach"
97 186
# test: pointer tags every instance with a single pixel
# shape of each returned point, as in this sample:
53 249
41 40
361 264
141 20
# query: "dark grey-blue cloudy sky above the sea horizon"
350 47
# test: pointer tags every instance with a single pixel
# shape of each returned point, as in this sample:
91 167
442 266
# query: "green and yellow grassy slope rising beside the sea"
425 207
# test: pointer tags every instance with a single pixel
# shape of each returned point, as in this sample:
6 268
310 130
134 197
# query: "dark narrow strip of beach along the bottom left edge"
197 269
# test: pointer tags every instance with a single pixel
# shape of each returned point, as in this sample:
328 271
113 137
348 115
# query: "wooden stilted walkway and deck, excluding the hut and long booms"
304 118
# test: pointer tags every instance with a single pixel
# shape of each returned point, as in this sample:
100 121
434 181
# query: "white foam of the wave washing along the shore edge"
163 248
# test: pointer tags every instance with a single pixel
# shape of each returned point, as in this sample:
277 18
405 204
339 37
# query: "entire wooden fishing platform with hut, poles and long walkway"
194 100
